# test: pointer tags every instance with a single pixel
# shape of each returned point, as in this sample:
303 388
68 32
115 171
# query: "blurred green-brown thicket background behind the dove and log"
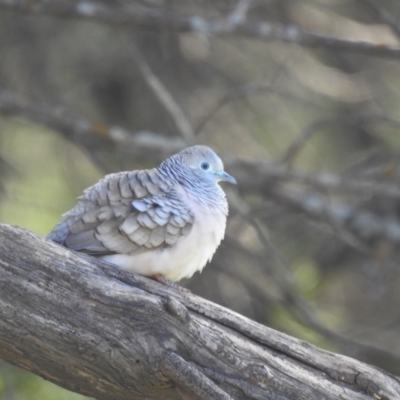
305 113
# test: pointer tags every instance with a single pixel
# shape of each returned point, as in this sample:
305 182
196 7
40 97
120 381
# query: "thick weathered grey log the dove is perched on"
109 334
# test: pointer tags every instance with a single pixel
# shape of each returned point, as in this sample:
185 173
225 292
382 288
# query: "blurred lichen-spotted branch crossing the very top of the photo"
160 19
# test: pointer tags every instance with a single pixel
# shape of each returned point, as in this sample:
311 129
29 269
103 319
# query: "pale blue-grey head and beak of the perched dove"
205 164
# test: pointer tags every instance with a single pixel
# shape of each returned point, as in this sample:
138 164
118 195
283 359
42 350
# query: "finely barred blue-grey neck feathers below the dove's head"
205 191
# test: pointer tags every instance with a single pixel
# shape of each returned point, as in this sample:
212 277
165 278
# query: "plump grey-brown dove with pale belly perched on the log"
164 223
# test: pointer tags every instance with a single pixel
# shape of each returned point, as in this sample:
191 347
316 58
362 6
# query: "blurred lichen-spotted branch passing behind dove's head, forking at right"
253 176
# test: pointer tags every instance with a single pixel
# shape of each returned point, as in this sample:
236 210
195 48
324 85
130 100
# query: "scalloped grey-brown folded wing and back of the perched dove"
124 213
